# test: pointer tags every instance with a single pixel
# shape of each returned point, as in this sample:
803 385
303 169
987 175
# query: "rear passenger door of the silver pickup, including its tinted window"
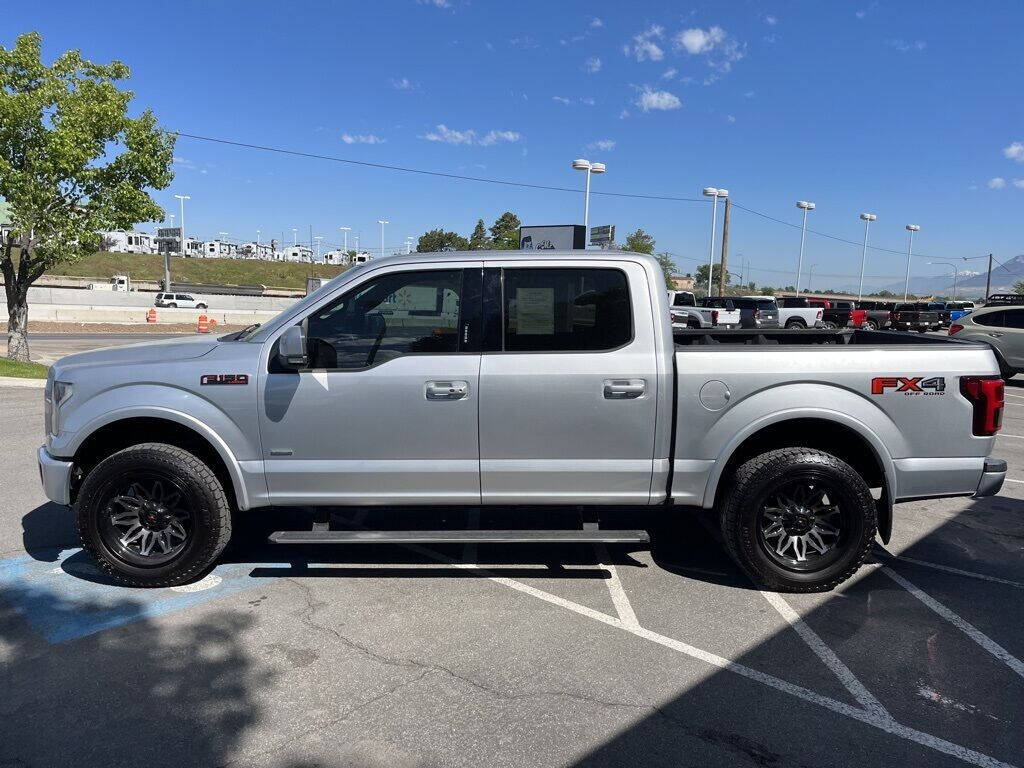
569 385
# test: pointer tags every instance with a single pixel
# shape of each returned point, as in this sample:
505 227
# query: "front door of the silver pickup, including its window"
387 413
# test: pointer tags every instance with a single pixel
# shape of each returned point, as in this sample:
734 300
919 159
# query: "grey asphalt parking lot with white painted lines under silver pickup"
568 656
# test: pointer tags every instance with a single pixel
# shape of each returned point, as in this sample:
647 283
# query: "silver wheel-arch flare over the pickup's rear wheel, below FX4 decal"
819 402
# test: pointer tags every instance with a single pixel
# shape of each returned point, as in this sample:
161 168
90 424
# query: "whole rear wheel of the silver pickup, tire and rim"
798 520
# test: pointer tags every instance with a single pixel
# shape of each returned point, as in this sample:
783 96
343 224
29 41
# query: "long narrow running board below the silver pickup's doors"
460 537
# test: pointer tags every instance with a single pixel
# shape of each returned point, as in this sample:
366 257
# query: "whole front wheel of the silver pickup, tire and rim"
153 516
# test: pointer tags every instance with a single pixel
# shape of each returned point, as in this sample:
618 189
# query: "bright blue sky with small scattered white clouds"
910 111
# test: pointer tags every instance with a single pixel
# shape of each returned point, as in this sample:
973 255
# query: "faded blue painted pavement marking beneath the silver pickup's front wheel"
68 598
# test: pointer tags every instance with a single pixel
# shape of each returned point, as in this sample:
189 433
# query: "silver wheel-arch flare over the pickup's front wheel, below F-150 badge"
241 458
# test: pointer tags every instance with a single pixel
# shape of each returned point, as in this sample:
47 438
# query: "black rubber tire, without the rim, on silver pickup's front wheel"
212 525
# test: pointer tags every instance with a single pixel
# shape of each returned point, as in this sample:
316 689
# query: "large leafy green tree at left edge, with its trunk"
72 163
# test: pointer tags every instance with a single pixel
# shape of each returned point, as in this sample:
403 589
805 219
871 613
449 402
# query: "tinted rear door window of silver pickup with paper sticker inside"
566 310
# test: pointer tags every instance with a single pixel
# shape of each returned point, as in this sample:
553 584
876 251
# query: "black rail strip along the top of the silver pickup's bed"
799 337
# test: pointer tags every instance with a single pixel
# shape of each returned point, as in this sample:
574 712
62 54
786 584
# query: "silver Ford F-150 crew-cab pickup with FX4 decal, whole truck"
508 378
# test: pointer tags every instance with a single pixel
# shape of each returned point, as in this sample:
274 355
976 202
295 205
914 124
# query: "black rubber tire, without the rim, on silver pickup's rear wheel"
740 514
